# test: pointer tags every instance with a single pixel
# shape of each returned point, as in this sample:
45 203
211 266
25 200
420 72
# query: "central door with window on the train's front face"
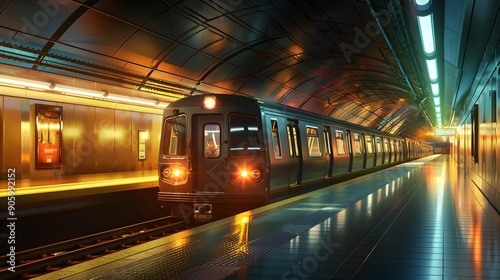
207 154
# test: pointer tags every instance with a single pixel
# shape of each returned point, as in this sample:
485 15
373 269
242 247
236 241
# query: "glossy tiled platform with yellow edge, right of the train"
418 220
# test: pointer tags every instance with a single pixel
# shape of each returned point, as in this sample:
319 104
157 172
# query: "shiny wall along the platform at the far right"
476 146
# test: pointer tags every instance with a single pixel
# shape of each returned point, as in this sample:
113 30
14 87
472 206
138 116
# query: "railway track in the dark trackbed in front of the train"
38 261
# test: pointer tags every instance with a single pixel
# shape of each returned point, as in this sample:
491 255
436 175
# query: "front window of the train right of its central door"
243 136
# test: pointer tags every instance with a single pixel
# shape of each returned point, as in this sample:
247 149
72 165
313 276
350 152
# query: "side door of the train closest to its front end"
295 152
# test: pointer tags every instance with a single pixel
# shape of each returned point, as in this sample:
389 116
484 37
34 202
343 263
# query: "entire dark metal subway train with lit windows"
218 152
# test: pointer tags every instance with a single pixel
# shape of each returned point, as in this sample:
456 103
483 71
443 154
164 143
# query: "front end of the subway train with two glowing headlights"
212 158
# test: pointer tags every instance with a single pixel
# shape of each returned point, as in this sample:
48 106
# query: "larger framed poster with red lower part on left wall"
48 139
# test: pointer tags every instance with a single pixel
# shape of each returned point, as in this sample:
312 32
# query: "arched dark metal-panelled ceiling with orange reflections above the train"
358 60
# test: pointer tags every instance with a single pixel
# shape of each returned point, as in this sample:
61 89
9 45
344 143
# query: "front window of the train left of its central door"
174 136
